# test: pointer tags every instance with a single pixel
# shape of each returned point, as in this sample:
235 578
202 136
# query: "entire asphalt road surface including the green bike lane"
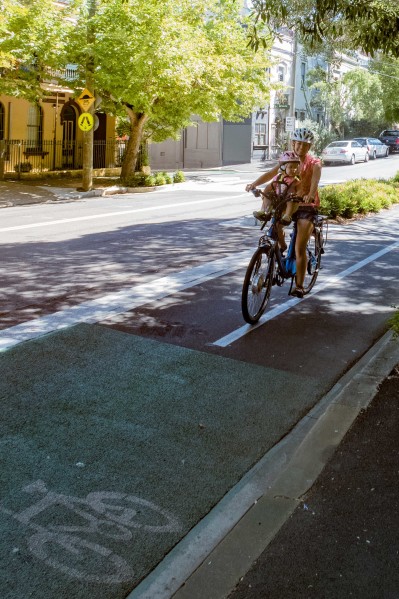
134 396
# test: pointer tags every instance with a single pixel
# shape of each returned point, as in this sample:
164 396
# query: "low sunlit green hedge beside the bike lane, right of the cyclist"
358 197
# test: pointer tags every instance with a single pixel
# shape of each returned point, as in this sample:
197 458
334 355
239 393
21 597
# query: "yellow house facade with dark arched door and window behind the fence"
45 136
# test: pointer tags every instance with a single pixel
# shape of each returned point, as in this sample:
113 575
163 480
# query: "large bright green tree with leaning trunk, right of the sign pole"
162 62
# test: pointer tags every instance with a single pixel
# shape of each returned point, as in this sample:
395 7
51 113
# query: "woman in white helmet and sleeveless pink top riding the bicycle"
310 173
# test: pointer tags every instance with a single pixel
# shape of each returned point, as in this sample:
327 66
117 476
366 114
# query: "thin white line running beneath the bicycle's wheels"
332 281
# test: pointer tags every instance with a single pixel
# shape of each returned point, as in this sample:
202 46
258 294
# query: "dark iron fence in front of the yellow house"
21 157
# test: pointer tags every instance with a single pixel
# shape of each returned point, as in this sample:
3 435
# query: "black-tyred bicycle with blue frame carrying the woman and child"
268 266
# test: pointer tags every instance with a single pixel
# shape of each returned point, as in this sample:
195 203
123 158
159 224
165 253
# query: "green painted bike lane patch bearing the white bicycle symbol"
113 447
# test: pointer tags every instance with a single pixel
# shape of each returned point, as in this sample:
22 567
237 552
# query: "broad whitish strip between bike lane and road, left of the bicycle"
122 301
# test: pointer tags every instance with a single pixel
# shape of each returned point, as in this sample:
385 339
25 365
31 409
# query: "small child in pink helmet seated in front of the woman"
283 185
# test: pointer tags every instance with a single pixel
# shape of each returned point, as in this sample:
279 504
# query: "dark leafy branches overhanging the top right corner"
369 25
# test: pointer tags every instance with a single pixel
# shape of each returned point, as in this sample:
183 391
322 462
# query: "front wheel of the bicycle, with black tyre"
257 285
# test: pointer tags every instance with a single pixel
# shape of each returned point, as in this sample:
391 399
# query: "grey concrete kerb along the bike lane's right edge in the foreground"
212 558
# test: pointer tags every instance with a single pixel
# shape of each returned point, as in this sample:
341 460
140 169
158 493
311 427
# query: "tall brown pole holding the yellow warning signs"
88 136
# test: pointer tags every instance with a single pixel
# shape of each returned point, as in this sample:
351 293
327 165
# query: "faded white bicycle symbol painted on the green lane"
108 514
